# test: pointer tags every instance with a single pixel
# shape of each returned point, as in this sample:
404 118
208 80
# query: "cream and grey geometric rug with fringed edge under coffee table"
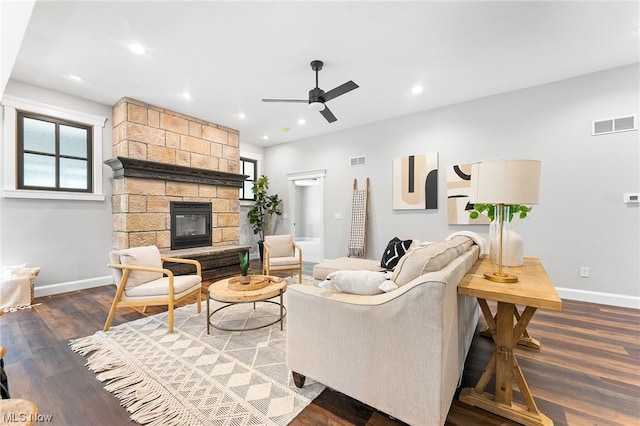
191 378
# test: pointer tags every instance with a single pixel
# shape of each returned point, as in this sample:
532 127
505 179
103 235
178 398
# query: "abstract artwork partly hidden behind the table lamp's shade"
458 189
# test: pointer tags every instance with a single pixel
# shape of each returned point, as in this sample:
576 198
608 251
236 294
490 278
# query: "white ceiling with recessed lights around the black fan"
228 55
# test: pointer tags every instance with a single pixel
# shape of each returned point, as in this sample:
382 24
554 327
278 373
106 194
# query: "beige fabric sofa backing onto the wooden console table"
401 352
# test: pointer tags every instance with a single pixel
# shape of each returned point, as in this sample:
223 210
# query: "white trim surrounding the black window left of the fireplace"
11 105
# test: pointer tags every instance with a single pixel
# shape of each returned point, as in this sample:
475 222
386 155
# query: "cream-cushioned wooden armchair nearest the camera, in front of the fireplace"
142 281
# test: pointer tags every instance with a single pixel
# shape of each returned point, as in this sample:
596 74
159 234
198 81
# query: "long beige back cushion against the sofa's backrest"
430 258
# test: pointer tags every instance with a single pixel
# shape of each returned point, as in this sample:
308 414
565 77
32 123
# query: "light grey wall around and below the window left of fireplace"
68 240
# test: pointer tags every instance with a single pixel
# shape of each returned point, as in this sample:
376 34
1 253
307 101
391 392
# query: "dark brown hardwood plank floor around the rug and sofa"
587 372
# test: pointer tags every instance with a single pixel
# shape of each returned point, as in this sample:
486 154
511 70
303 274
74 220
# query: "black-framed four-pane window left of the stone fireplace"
54 154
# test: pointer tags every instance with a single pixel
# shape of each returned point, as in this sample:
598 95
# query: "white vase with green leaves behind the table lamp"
513 241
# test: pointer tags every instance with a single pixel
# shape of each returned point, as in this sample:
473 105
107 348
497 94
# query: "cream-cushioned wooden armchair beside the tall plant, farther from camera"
279 255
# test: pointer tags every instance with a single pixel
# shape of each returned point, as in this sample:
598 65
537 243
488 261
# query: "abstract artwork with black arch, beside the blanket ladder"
415 182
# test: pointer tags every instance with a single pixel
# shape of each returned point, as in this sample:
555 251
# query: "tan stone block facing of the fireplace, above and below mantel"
141 206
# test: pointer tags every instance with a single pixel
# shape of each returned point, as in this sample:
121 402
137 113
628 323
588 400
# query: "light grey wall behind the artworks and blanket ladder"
581 219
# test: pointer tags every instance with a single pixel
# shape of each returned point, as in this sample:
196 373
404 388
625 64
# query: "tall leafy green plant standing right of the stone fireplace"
261 214
